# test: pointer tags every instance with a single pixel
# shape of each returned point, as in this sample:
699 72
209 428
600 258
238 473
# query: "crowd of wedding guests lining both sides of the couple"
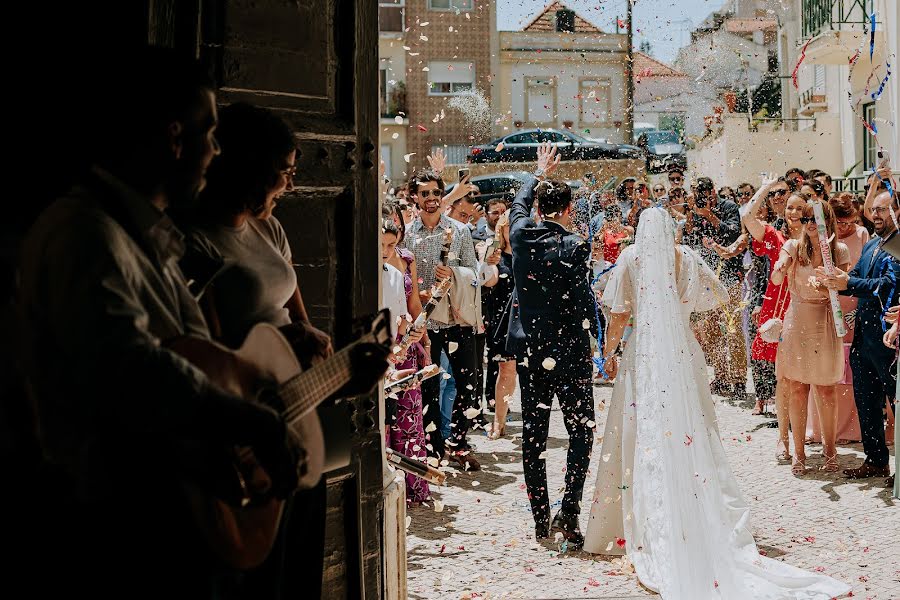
775 326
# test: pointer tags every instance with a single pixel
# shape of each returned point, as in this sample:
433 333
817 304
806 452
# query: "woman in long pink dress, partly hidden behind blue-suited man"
854 236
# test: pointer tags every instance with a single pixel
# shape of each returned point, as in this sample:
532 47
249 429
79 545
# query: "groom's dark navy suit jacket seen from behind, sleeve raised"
552 301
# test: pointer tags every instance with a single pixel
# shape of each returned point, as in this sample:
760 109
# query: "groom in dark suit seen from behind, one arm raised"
551 321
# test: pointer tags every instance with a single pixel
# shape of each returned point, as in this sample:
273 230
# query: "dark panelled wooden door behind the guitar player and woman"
315 62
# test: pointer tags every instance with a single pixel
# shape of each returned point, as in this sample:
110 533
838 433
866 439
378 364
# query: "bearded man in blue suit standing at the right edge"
874 281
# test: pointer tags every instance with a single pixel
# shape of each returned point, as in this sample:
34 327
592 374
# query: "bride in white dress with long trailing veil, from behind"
665 494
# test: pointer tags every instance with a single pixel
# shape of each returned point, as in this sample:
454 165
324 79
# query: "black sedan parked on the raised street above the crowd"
521 146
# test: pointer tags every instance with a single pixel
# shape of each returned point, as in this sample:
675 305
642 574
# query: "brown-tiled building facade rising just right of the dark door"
435 61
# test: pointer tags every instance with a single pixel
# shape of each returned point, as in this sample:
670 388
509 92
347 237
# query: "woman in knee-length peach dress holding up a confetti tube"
810 353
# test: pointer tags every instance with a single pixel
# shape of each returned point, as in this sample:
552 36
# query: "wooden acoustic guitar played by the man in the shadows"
238 517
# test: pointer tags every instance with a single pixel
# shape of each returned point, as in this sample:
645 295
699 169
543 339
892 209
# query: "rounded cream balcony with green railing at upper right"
834 30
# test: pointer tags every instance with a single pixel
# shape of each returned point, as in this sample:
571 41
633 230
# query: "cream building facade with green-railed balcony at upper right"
827 34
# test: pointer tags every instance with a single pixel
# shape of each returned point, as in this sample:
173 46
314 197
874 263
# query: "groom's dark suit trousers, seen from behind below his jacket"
570 382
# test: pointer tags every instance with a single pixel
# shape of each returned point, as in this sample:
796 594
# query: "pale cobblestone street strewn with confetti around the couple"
477 539
